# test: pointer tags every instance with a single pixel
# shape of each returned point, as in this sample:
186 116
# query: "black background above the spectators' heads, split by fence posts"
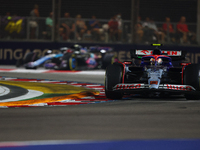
104 9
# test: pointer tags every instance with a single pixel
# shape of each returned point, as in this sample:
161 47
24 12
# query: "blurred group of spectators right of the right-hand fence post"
148 31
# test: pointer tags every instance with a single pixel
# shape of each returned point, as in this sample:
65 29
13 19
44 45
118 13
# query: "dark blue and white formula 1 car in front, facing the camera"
155 75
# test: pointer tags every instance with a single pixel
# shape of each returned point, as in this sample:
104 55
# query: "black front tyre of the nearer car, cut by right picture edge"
192 77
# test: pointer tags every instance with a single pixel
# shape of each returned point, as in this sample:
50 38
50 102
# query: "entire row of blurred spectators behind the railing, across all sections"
95 30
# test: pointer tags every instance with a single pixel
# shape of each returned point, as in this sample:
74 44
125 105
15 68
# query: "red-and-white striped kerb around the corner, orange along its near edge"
88 97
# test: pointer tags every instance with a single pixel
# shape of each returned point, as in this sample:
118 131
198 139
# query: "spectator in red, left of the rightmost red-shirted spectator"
168 30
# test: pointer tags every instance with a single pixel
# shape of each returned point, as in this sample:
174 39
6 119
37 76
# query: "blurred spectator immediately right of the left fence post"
68 26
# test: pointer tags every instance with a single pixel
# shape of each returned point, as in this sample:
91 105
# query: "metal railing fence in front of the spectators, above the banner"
16 28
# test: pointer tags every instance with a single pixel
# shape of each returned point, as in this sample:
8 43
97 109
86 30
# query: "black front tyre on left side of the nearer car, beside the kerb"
113 76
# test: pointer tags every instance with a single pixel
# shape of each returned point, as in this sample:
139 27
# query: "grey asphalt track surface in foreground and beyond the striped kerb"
136 118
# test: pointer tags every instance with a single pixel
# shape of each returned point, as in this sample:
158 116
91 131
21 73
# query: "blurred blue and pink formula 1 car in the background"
74 58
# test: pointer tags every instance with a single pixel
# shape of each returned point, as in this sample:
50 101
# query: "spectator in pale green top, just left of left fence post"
49 24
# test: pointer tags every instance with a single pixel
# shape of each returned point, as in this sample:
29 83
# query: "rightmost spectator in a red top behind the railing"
184 34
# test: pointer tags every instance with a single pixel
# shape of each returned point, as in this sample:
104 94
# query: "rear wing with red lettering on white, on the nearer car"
175 55
